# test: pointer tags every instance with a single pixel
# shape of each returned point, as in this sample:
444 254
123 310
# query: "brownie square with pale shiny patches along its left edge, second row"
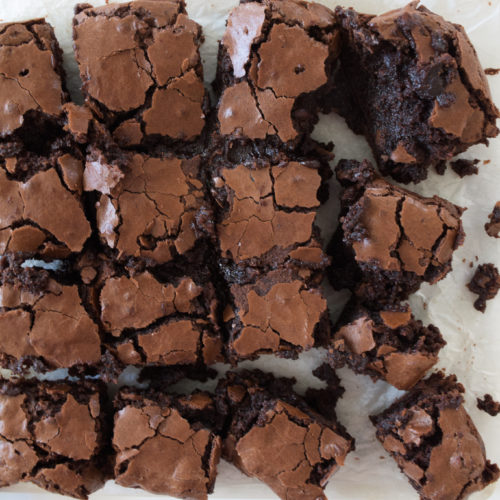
151 208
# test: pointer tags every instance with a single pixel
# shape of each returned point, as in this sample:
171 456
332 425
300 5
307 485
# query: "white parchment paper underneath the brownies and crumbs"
473 349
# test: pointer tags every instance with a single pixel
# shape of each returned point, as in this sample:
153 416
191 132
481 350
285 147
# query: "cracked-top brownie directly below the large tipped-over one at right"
390 239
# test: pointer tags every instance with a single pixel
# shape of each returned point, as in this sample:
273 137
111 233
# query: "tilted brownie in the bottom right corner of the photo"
434 441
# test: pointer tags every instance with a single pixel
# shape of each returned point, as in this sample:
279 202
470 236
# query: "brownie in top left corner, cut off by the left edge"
32 88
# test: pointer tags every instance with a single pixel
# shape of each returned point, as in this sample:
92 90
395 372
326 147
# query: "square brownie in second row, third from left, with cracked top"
266 210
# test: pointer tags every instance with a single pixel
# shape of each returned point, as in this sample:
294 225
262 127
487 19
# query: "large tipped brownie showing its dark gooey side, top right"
411 82
